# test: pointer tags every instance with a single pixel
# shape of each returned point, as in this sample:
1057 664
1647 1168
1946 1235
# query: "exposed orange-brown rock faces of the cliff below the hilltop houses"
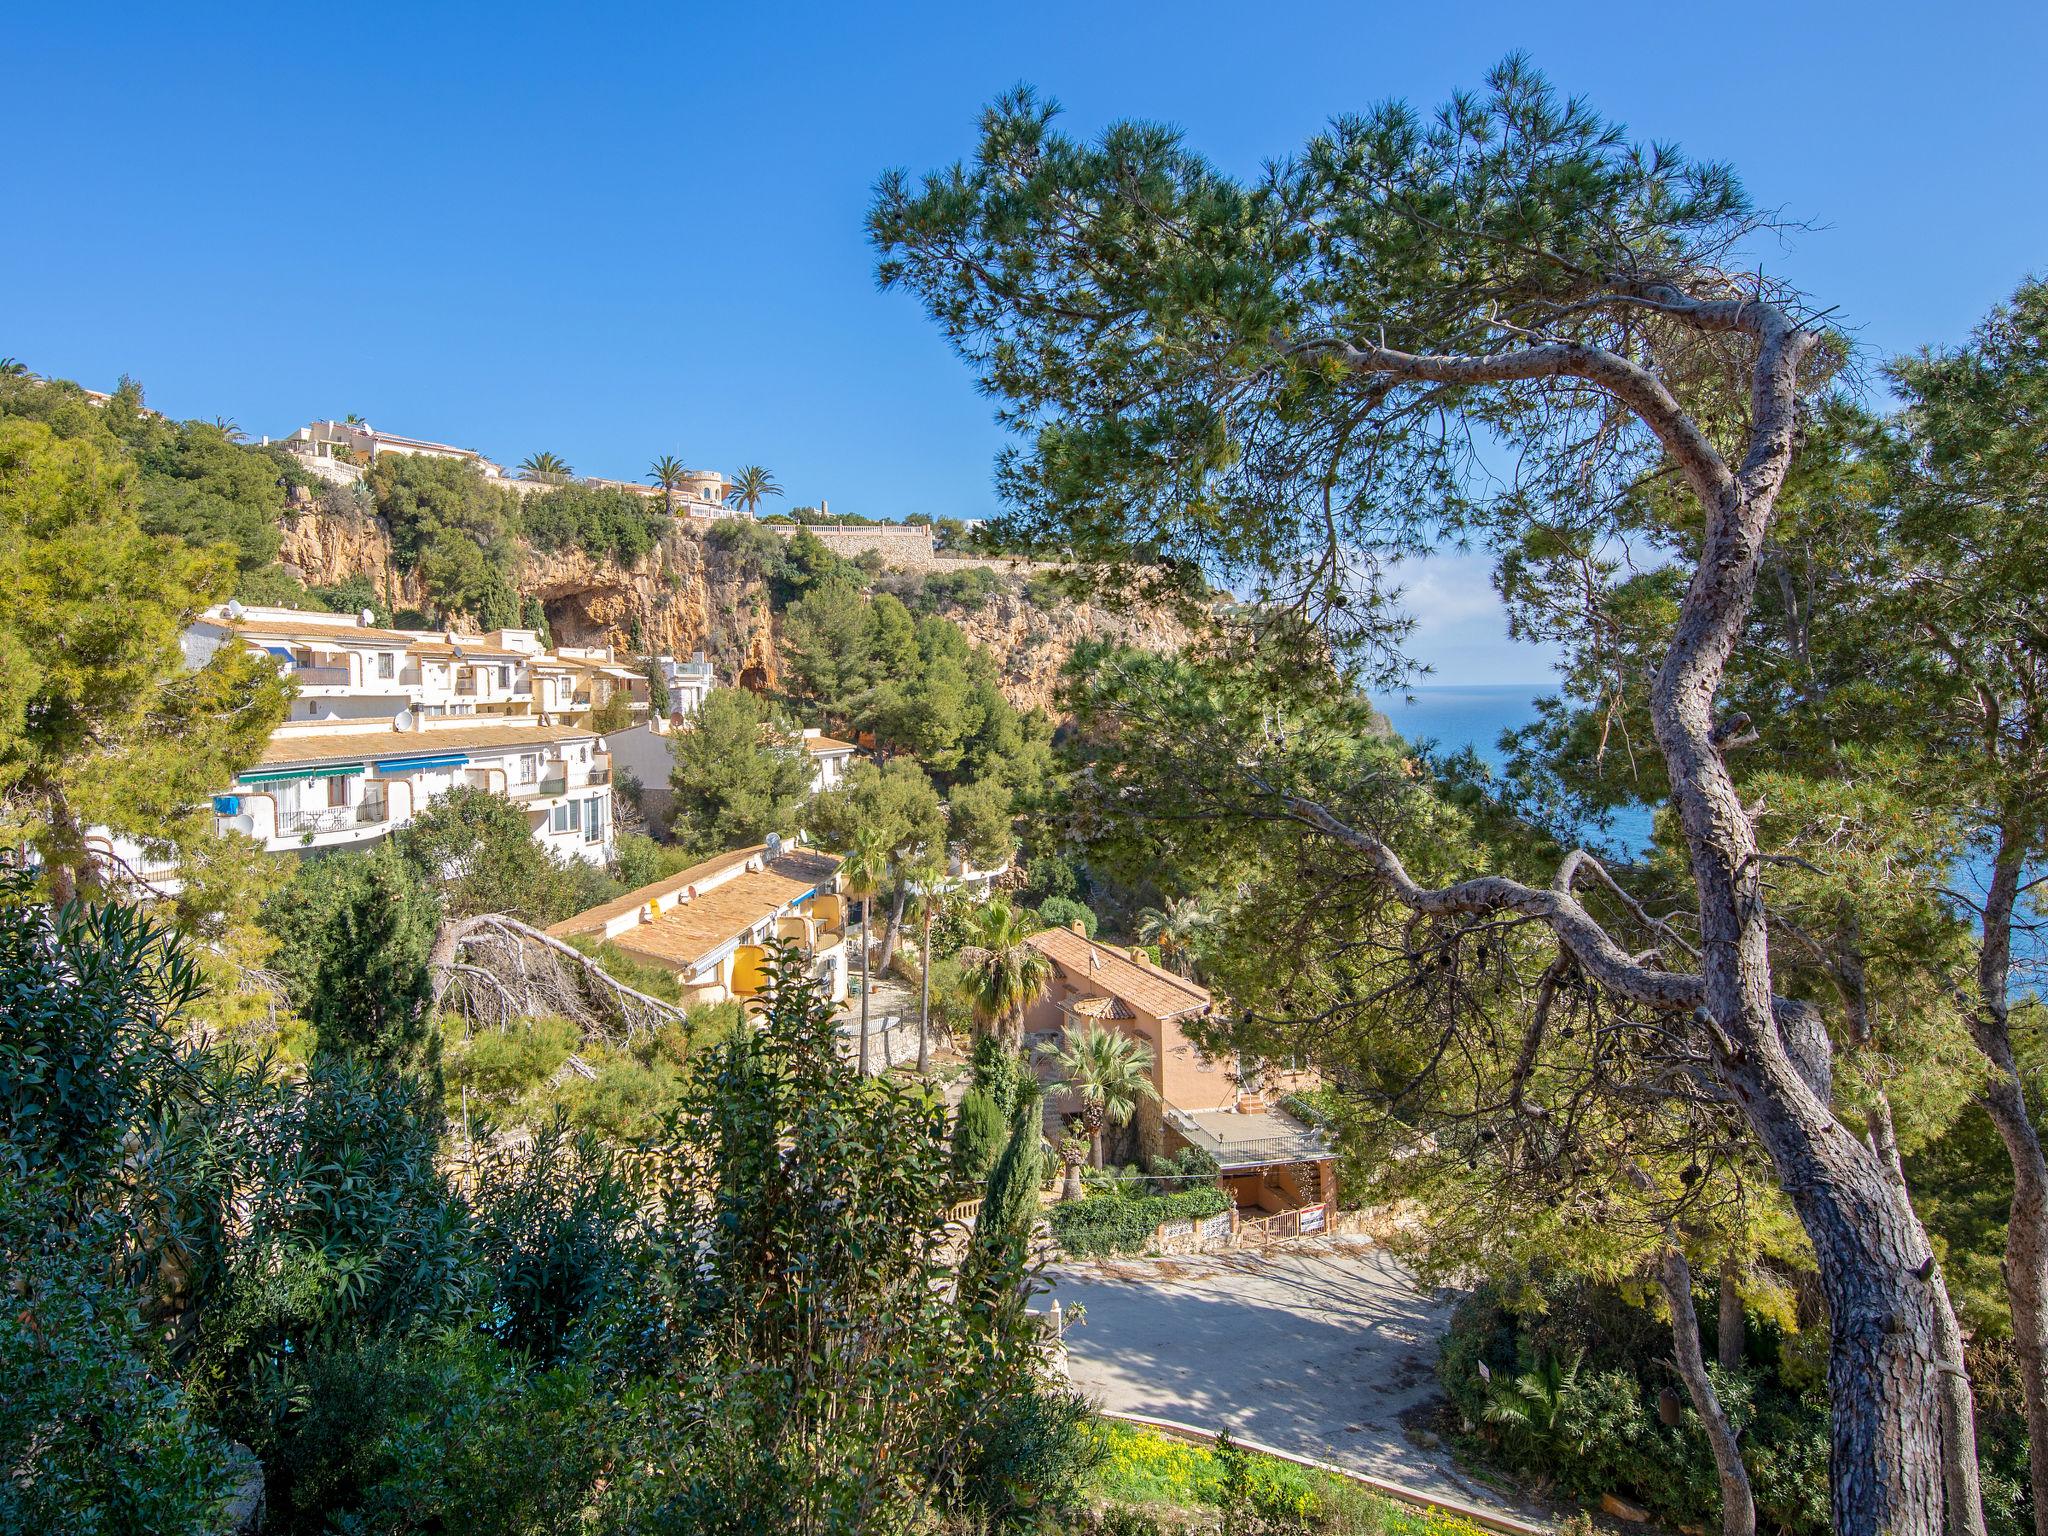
687 597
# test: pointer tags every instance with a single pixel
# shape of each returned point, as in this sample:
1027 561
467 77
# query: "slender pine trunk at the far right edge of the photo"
2006 1103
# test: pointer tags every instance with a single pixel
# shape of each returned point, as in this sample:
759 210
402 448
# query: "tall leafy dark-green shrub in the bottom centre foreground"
818 1195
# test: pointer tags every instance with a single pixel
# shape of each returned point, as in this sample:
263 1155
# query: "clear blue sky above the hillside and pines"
620 232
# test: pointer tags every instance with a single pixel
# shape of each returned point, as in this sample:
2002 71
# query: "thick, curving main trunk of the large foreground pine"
1885 1465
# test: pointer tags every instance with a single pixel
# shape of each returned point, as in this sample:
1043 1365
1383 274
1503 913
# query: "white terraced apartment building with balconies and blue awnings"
388 720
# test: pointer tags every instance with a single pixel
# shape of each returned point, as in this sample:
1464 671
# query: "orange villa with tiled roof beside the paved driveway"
1271 1160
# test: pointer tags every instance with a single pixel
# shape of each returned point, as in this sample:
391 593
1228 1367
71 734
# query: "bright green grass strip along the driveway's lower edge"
1162 1478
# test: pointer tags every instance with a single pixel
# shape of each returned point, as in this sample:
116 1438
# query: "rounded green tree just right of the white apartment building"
736 775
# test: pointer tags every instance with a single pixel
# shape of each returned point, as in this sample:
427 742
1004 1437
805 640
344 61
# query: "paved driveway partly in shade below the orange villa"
1318 1351
